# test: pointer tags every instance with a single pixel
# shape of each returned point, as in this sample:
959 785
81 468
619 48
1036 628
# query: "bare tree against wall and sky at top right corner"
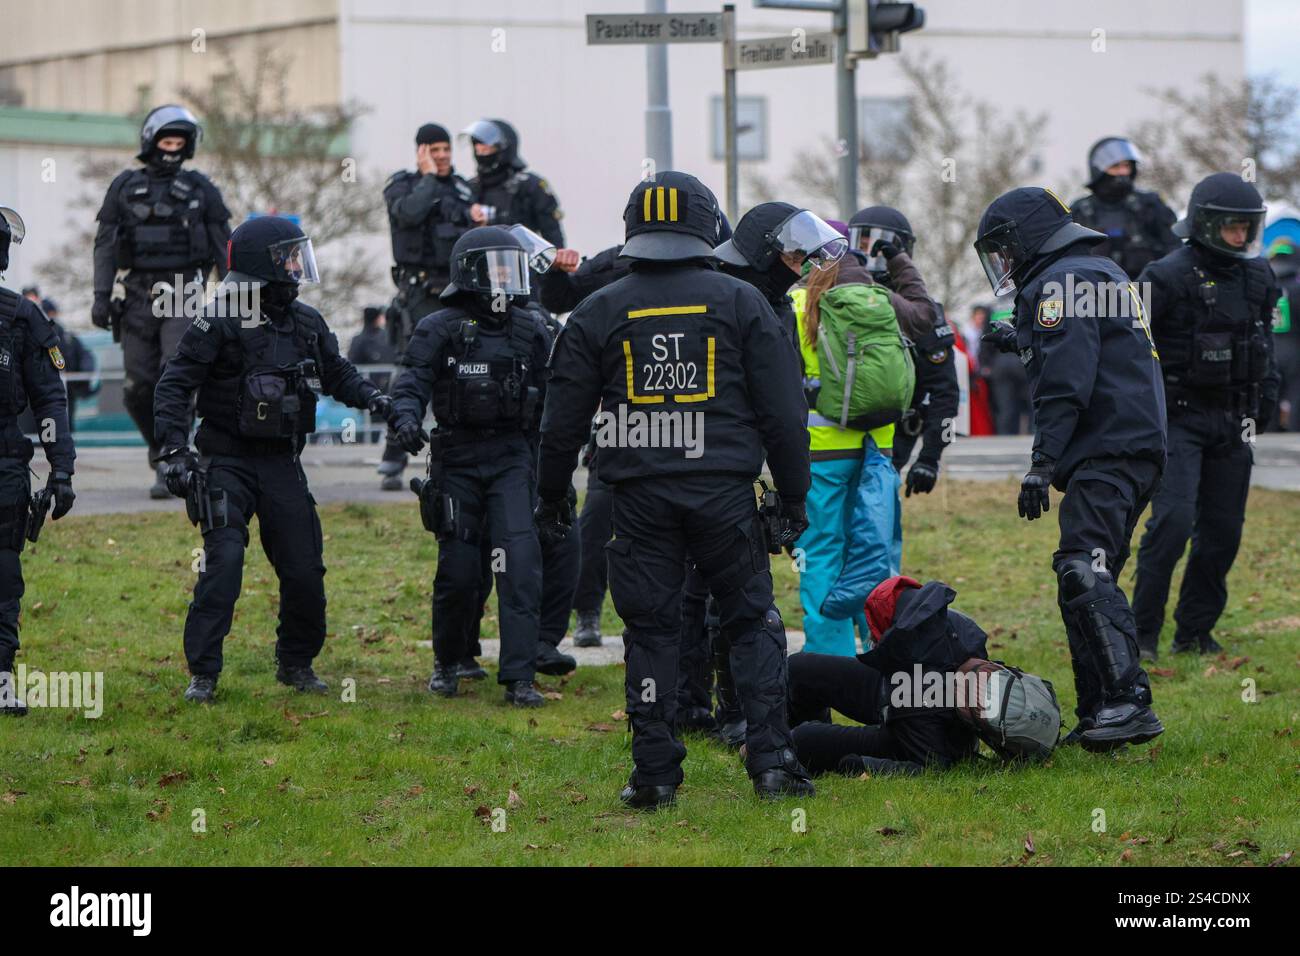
1246 128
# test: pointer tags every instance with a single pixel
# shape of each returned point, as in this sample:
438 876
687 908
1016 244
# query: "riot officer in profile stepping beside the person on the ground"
1100 439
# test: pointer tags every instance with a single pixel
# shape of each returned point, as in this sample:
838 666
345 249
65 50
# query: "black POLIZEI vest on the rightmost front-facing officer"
1217 340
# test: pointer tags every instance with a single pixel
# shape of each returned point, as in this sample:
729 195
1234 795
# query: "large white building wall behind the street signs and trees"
580 110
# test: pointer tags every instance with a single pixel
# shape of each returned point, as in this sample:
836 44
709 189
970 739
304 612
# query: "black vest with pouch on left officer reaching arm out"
275 393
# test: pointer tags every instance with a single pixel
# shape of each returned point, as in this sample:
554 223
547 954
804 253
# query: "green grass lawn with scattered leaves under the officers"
398 777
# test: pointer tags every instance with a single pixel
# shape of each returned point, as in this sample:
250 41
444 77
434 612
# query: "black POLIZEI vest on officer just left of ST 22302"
484 384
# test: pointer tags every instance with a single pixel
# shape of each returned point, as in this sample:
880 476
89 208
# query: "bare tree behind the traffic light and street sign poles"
963 155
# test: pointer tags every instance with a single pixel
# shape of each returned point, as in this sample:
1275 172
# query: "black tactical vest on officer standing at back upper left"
162 223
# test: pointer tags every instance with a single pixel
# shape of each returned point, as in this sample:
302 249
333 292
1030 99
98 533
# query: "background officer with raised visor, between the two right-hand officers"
1136 222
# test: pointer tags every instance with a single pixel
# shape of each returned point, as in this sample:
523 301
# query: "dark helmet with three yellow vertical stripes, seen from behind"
670 218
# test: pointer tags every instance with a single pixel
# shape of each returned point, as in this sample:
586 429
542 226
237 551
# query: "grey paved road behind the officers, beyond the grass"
116 479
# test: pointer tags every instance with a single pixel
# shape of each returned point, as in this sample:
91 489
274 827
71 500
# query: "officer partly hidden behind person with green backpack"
883 233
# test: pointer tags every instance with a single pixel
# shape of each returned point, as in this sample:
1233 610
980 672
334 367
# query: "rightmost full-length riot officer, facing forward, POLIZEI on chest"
1212 308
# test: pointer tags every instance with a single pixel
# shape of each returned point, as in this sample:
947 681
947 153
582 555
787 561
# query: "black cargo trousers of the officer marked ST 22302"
713 521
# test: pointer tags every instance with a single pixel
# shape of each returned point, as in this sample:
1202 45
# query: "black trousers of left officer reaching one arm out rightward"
272 487
